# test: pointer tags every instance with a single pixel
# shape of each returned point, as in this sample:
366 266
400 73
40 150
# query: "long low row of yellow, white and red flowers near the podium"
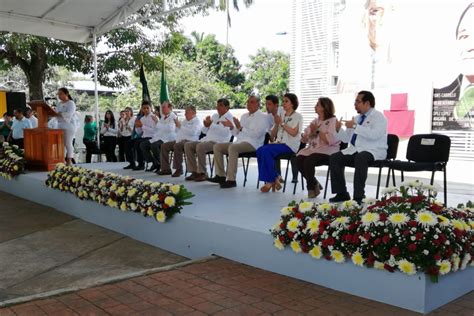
160 201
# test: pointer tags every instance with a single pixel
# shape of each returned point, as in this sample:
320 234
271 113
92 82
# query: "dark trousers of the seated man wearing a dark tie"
360 161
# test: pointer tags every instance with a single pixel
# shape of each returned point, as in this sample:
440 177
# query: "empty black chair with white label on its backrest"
426 152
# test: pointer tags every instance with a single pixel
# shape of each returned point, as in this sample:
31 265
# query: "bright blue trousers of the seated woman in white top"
266 160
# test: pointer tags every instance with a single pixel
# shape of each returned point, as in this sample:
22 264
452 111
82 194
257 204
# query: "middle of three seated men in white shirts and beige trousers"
215 132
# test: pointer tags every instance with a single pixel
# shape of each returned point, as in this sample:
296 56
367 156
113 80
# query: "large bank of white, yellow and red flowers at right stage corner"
407 230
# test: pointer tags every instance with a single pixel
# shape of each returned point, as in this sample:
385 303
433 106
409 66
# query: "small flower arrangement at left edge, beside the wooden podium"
12 161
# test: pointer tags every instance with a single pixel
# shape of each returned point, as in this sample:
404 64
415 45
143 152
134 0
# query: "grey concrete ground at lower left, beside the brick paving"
44 250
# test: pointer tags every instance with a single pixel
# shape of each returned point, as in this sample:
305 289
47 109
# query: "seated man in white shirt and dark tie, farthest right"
366 136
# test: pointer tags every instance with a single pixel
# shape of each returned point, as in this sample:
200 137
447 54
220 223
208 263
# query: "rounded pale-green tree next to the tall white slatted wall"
268 72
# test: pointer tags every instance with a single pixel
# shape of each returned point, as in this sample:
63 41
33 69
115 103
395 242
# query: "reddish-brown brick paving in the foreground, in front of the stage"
218 287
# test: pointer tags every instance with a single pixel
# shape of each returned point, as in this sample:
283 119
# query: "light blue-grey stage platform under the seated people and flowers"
234 223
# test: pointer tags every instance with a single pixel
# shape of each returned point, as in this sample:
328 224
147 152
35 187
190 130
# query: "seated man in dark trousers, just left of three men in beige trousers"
165 131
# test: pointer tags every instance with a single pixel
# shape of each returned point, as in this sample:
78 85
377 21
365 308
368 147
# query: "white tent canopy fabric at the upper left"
69 20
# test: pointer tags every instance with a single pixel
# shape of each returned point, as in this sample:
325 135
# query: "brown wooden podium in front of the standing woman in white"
44 147
